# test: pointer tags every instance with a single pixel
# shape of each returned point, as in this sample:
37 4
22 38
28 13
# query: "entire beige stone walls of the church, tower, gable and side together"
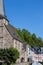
6 41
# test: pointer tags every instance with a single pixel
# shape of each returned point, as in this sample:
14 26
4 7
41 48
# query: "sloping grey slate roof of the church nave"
13 31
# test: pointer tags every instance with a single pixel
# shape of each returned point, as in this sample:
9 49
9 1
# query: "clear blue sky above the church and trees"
26 14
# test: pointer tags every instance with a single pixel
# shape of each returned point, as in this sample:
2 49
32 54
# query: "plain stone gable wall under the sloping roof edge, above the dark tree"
7 38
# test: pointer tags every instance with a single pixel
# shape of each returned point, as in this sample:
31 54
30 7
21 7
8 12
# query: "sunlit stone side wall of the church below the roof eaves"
23 53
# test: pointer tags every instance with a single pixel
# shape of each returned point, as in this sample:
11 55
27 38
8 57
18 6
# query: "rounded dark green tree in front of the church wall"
9 55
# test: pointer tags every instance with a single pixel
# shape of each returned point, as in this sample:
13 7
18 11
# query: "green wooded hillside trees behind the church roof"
31 39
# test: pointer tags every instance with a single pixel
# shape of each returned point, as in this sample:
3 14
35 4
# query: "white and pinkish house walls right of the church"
35 57
